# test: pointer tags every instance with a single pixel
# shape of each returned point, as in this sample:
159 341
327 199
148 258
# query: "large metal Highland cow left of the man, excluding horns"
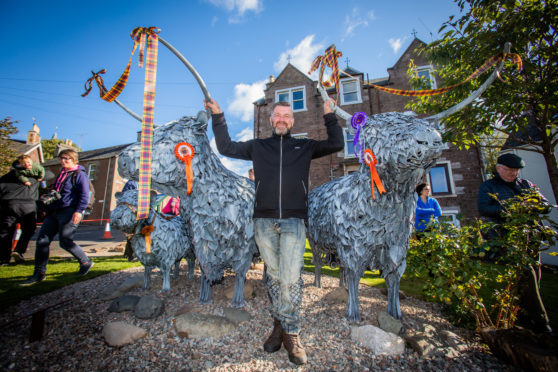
218 211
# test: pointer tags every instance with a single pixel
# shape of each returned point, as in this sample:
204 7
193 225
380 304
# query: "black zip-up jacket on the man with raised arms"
281 166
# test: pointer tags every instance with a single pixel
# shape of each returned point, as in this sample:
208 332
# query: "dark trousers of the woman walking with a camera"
59 221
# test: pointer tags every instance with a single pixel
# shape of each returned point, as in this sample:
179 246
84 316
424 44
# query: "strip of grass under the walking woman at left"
61 271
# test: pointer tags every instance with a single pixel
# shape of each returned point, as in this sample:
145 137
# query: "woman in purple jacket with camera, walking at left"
64 216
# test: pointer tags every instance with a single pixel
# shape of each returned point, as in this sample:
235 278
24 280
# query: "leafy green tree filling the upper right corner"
529 96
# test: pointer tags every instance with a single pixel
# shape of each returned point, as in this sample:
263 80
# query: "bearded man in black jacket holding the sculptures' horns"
281 167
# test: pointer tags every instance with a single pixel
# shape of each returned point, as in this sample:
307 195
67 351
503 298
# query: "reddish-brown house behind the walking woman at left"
102 168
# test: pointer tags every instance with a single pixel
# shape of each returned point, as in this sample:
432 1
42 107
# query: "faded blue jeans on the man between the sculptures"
281 243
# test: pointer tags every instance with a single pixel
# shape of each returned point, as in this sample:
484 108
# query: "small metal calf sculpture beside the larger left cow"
170 240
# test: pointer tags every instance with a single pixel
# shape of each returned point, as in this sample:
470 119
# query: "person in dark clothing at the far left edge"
17 205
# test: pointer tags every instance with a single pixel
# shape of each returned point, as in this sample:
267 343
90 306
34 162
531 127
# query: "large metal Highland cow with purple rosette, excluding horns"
345 220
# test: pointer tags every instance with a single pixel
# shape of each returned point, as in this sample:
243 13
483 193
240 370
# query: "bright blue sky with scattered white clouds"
50 48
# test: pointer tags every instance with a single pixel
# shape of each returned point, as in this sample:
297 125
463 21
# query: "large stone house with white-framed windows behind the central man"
455 178
